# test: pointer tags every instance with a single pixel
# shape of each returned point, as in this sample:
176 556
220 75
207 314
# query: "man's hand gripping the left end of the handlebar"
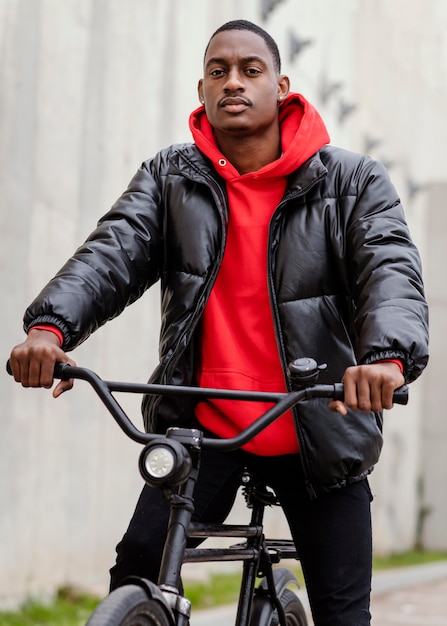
32 362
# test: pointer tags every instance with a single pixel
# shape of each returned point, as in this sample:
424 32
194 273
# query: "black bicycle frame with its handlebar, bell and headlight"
184 446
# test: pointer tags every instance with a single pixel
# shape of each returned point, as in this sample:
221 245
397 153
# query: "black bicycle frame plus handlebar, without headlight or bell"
258 554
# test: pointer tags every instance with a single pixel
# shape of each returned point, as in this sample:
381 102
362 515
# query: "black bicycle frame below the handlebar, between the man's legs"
257 554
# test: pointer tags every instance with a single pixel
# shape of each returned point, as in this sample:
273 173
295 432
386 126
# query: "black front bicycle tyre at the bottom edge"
129 606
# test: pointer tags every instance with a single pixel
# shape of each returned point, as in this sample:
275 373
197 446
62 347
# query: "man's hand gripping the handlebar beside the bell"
369 387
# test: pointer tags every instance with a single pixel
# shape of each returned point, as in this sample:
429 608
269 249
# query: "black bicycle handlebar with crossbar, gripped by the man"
283 401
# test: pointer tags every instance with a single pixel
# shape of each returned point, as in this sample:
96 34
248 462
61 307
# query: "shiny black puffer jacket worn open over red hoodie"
344 276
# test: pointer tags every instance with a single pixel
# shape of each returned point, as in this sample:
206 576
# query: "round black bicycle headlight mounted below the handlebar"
165 463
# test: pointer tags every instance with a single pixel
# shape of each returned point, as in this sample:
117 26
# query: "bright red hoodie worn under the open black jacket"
238 343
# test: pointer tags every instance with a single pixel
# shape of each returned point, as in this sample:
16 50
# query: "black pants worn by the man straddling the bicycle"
332 532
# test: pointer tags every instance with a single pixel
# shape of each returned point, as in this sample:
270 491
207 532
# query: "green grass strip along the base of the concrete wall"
72 607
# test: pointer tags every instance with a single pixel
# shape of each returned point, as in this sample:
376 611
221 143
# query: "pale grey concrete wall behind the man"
88 90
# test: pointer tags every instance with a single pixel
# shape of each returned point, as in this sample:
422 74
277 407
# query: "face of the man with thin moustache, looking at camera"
241 87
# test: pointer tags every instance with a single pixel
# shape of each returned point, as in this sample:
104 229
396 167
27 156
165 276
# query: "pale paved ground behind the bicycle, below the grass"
414 596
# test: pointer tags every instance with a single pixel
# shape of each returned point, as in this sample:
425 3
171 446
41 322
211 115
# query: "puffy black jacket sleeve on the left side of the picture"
116 264
